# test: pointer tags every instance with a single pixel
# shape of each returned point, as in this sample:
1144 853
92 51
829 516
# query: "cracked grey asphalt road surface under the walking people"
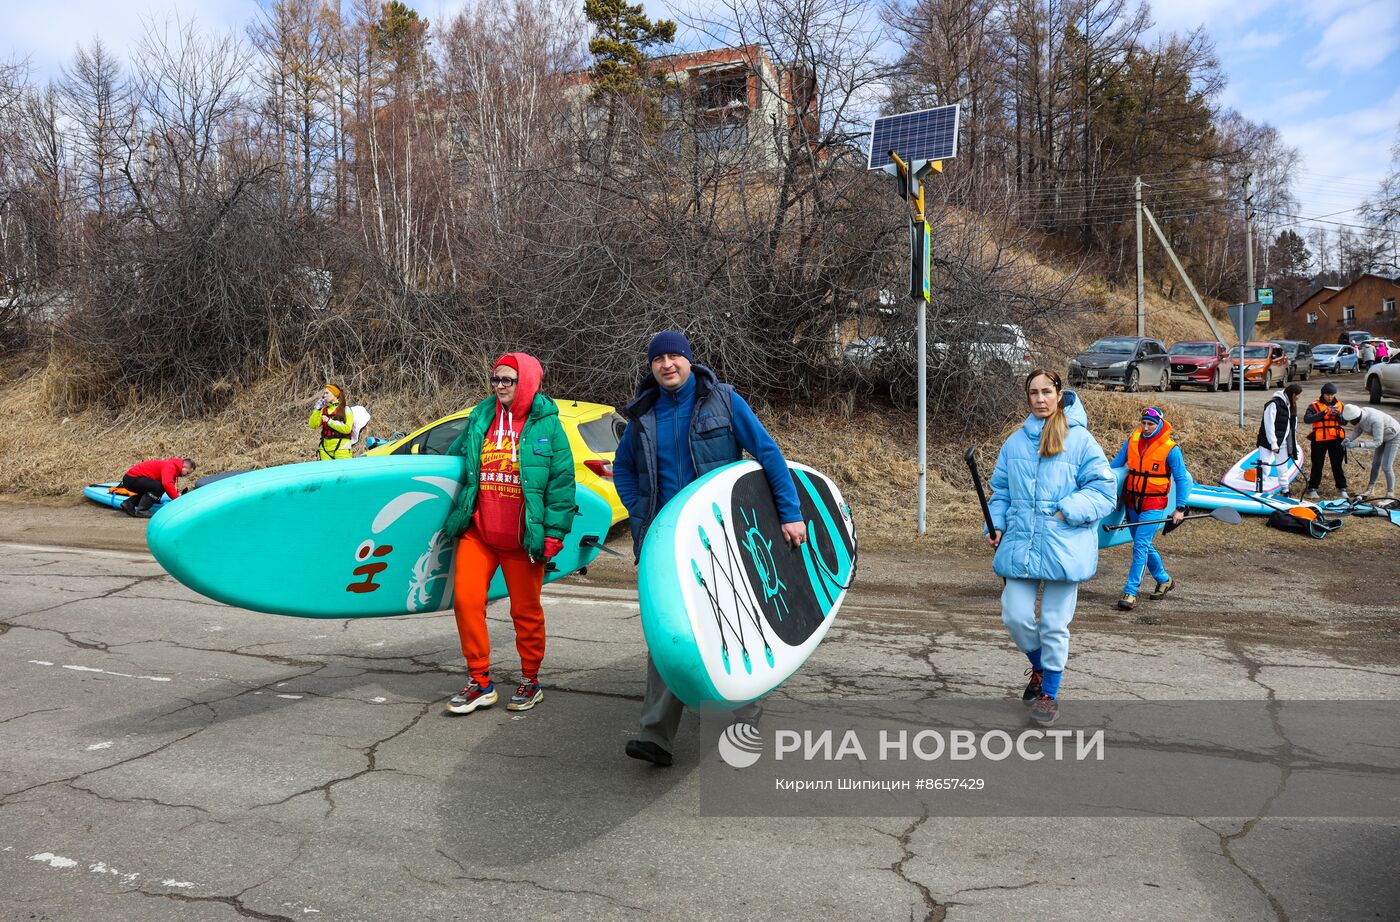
164 758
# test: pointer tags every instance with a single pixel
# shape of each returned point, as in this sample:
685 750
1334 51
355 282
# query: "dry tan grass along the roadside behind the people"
48 460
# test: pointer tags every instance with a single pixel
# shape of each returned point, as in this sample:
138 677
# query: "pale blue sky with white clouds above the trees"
1326 73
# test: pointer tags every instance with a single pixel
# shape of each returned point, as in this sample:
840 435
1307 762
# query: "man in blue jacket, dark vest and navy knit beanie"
682 425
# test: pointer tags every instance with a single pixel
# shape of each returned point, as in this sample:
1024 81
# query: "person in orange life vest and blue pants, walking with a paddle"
1154 461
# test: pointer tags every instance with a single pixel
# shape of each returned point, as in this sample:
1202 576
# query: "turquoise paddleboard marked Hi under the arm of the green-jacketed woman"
345 539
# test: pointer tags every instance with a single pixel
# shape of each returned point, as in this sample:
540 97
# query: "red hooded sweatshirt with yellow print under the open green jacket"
500 502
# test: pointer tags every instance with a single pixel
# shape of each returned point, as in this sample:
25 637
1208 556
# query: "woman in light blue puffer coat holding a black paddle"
1051 489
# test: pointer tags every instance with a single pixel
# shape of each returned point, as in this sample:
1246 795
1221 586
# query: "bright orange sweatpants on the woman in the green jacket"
477 563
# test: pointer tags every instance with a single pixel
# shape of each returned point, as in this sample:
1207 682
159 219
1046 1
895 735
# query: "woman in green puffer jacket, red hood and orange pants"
516 507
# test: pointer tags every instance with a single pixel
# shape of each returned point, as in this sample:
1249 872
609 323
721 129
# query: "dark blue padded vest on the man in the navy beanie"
713 443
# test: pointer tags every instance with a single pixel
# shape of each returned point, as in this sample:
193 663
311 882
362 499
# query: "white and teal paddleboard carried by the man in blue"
729 608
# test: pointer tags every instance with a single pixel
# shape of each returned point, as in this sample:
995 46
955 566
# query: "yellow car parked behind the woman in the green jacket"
593 429
